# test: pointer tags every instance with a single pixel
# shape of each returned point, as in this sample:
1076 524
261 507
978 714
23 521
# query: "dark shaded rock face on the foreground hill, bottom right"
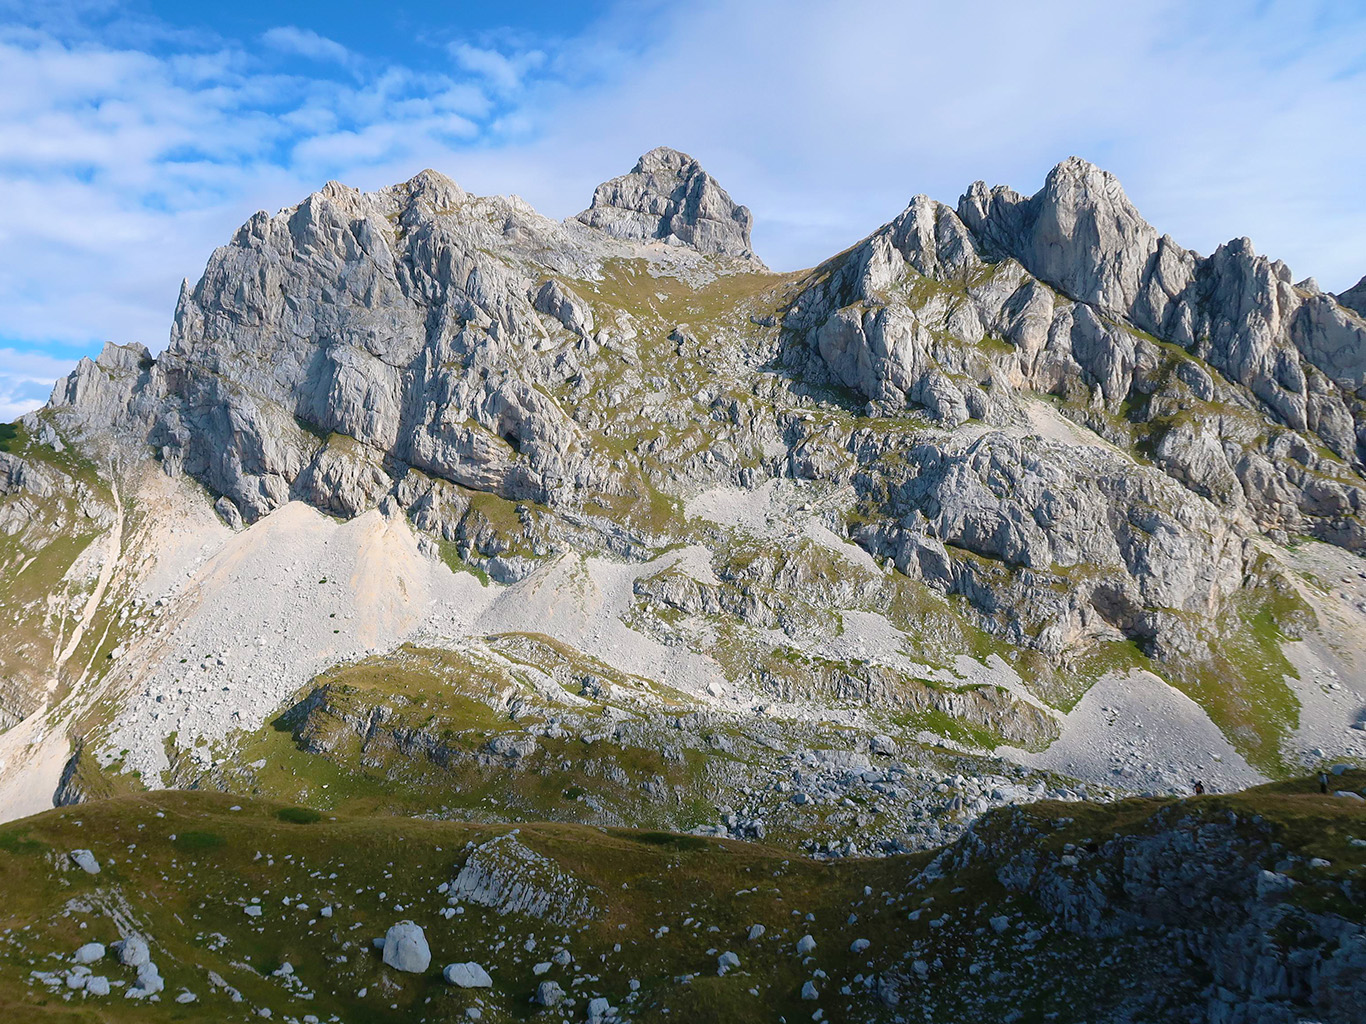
1197 884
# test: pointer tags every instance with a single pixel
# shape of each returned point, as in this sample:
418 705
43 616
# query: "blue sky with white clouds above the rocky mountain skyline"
137 136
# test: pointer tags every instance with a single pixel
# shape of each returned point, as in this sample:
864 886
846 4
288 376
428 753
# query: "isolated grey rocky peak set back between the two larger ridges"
669 197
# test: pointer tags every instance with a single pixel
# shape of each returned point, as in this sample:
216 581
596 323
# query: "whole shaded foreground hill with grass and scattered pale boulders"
1248 907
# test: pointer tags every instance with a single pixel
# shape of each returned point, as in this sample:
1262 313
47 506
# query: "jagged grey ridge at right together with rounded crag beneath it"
964 315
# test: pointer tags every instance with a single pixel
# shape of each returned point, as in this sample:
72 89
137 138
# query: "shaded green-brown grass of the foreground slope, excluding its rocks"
196 862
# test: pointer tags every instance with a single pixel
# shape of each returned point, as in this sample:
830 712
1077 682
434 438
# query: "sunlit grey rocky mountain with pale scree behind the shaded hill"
439 509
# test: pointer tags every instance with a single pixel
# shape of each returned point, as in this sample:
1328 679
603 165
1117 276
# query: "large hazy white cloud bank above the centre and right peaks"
1222 119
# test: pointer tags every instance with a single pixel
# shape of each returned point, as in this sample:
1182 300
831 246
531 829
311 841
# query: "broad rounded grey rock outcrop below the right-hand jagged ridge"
1145 552
